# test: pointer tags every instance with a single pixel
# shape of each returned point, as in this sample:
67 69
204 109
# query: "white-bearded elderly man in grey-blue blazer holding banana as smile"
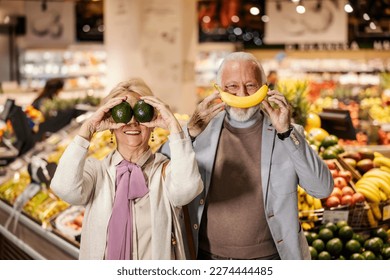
251 161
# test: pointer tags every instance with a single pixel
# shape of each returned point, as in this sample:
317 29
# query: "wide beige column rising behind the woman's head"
155 40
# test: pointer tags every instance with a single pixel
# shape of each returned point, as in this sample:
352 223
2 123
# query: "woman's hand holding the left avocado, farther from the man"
101 119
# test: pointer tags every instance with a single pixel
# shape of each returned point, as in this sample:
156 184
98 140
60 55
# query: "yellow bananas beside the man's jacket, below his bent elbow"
307 206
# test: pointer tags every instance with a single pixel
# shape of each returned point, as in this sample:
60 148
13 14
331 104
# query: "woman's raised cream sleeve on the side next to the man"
183 180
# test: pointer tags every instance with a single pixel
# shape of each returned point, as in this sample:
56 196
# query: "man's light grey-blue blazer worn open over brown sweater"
284 165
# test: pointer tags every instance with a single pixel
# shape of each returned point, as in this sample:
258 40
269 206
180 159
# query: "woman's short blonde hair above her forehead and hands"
136 85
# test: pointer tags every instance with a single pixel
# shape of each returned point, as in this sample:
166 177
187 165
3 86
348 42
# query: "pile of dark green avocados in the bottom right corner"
339 241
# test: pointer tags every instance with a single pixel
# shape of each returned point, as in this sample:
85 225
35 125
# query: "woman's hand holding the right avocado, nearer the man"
165 118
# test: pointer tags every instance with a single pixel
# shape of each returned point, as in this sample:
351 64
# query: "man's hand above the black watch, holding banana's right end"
280 116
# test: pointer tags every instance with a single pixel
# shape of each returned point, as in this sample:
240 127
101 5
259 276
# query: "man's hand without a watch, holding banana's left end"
204 113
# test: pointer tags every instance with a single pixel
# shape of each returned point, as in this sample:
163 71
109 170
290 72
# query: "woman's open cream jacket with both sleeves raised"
81 180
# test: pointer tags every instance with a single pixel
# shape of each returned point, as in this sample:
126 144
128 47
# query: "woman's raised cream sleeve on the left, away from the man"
73 180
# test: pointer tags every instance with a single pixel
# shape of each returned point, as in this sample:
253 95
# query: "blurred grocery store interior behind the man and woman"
330 58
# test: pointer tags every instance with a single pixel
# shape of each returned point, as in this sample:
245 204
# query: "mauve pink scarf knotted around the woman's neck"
130 184
